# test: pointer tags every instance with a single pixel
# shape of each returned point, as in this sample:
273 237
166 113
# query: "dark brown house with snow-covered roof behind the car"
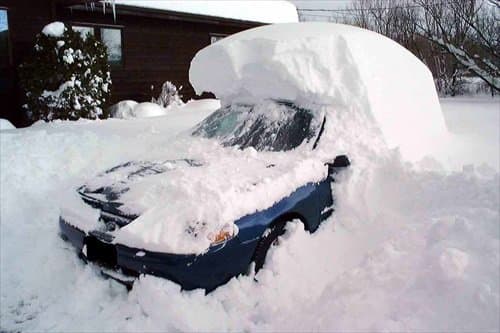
148 42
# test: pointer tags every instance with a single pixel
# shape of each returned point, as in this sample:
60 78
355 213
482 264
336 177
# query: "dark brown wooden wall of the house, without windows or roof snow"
157 46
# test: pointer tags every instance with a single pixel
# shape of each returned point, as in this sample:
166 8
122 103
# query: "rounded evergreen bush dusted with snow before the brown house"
67 77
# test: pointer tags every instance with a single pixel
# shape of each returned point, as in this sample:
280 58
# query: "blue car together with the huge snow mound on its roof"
295 99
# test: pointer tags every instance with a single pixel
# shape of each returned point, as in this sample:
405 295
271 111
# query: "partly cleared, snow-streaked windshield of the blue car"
268 126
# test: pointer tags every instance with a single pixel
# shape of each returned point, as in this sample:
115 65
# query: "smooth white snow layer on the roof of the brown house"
273 11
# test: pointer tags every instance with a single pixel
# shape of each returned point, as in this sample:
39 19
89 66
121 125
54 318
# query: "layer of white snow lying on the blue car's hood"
179 202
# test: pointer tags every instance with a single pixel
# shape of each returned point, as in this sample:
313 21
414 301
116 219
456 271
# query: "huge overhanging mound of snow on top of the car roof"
324 63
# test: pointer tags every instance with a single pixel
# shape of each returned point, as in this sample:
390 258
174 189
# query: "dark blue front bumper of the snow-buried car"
207 271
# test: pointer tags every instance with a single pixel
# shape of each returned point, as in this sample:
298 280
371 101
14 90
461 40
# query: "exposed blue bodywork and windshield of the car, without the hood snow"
235 126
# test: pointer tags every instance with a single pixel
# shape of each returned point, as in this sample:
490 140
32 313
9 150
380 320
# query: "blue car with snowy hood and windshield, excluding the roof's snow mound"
266 138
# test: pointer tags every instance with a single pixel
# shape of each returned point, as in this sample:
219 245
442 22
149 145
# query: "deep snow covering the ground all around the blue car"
411 246
